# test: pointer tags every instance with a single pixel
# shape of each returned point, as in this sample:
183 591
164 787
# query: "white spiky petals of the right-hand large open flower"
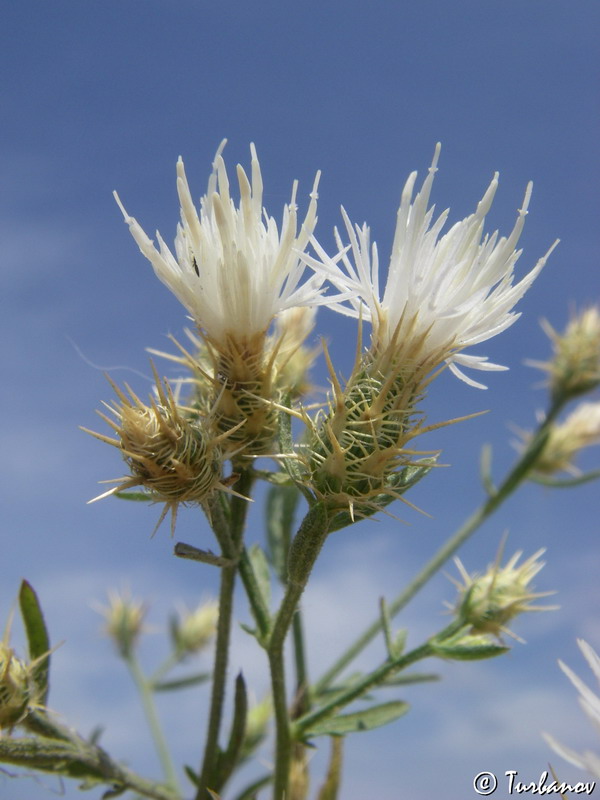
443 293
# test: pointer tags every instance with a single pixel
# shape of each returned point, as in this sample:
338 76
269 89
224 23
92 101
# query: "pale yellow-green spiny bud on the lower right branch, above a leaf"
490 601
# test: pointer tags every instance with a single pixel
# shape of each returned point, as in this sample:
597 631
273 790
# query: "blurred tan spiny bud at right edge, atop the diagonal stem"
575 366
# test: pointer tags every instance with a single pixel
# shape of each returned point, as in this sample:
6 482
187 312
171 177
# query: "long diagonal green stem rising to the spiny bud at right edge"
515 477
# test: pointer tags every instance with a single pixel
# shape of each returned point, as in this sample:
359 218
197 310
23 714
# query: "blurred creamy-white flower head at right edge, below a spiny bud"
566 439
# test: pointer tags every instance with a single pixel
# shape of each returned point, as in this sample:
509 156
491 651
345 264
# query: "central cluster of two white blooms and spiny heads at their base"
242 279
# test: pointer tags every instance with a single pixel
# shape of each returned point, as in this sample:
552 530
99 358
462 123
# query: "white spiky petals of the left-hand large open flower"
233 269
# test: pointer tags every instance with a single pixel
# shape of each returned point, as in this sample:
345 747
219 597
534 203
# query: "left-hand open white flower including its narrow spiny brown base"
235 272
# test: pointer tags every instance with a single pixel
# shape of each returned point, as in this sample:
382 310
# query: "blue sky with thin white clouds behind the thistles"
106 95
